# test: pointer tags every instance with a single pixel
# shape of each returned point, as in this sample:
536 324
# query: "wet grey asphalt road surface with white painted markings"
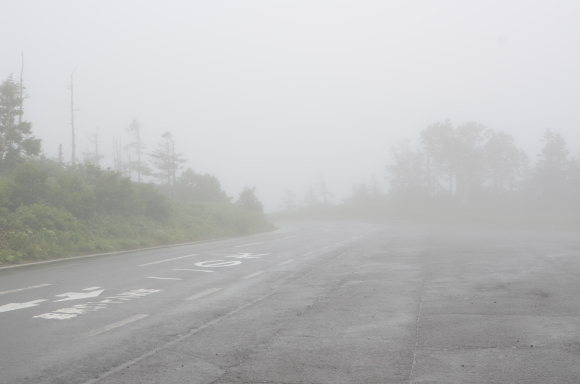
313 302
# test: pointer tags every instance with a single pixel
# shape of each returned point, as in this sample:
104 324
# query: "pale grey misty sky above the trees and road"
274 94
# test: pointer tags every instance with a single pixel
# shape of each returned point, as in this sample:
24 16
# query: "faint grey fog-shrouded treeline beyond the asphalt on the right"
467 172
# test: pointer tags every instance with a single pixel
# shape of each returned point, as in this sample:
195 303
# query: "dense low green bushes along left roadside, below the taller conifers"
48 211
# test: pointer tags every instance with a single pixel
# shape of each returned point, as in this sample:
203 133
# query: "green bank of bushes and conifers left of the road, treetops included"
50 208
